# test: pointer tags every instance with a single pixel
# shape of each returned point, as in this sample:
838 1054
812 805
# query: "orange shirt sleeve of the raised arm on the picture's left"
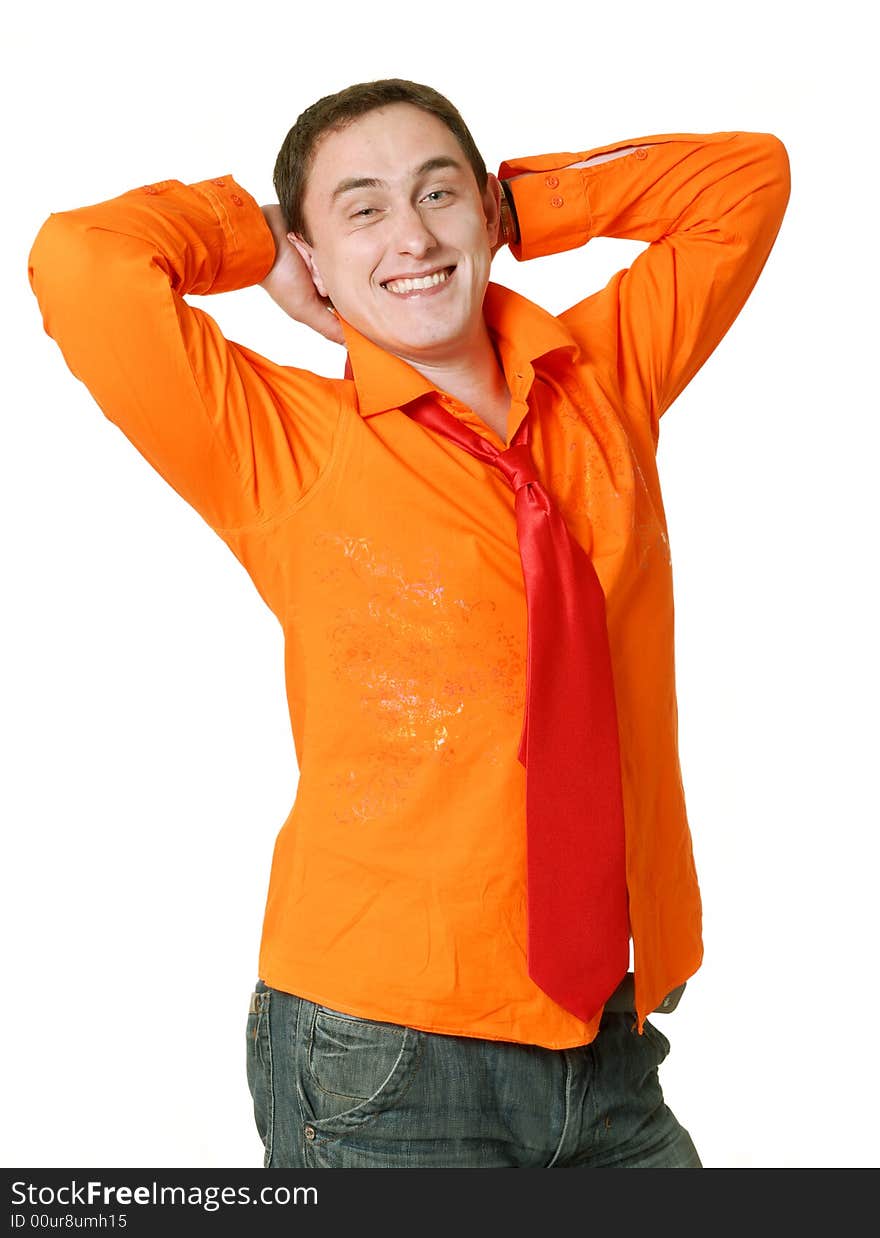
239 438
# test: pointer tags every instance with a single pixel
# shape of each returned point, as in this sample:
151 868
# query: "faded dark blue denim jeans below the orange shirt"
335 1091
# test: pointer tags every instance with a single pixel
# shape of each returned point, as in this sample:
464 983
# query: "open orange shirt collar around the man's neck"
522 330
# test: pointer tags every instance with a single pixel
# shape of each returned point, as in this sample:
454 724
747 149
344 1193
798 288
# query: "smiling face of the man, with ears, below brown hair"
390 199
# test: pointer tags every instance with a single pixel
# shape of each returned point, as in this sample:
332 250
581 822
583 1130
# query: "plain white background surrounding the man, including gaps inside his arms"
147 748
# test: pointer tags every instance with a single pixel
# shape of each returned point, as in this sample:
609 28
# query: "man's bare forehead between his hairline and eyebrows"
387 144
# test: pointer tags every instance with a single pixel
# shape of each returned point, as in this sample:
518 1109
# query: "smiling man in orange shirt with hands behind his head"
465 543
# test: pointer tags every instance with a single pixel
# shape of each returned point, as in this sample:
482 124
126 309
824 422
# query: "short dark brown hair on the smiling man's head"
337 111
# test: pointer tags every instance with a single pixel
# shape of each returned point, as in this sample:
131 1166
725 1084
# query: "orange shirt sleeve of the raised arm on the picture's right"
711 207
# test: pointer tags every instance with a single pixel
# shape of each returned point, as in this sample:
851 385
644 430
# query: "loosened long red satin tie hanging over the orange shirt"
579 919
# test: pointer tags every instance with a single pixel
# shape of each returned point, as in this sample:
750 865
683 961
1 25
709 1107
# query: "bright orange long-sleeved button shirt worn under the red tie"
390 559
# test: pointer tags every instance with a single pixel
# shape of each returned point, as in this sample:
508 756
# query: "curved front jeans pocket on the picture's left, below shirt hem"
355 1069
